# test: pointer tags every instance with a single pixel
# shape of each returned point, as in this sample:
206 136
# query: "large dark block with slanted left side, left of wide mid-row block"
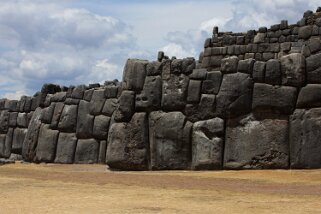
235 95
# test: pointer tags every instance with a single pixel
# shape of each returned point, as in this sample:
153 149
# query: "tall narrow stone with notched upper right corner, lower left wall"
85 121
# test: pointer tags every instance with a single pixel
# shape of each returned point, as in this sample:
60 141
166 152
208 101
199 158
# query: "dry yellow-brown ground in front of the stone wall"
30 188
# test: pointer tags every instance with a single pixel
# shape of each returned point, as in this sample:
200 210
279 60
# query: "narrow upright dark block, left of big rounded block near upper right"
273 72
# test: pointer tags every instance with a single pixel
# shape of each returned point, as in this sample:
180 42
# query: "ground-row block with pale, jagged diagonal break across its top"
207 144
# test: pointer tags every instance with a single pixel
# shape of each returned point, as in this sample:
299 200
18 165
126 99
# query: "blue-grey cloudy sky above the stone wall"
70 42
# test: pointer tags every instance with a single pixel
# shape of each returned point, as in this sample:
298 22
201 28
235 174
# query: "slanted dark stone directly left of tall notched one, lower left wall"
68 119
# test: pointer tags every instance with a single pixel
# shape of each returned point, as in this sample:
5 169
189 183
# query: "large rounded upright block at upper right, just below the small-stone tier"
293 70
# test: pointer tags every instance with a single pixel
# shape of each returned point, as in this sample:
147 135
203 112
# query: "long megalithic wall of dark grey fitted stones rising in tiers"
252 100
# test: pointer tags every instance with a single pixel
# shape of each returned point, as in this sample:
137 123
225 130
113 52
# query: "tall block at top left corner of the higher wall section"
134 74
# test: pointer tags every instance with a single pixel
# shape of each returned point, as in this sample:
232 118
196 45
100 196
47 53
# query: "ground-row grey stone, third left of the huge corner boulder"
66 147
